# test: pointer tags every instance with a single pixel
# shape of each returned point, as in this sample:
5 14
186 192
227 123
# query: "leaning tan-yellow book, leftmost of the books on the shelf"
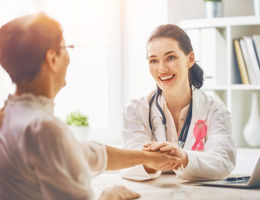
241 63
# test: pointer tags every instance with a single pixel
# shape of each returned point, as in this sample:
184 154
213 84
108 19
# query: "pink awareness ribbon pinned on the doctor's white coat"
199 132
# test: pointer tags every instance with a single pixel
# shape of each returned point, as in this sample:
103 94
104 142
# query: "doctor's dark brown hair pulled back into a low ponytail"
176 33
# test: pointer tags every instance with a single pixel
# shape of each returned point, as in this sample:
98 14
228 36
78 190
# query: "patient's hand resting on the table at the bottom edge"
118 193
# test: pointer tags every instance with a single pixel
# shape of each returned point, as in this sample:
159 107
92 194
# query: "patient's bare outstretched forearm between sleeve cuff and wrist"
121 158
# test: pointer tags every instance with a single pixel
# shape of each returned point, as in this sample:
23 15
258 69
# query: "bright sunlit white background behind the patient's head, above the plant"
94 74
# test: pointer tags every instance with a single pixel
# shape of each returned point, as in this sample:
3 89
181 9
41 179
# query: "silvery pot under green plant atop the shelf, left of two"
214 9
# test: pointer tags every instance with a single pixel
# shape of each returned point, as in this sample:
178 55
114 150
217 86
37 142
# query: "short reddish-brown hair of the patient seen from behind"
24 42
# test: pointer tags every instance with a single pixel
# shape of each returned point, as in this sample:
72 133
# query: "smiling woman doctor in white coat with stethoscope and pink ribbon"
178 117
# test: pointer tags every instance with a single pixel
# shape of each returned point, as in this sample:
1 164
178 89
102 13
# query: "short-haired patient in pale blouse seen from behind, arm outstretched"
39 158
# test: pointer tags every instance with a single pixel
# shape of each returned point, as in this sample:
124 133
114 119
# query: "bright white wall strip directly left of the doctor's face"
139 19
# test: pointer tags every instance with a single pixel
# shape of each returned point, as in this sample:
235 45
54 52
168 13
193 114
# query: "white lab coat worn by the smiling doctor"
216 161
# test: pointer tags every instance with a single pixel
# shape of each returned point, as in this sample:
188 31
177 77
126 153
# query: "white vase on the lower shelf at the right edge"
252 127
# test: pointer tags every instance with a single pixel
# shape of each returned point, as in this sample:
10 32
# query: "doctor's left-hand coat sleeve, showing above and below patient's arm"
135 135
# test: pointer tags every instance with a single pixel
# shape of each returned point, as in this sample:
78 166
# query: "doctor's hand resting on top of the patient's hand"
168 148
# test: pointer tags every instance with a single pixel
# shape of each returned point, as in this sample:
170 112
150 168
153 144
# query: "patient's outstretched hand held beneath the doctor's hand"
161 161
